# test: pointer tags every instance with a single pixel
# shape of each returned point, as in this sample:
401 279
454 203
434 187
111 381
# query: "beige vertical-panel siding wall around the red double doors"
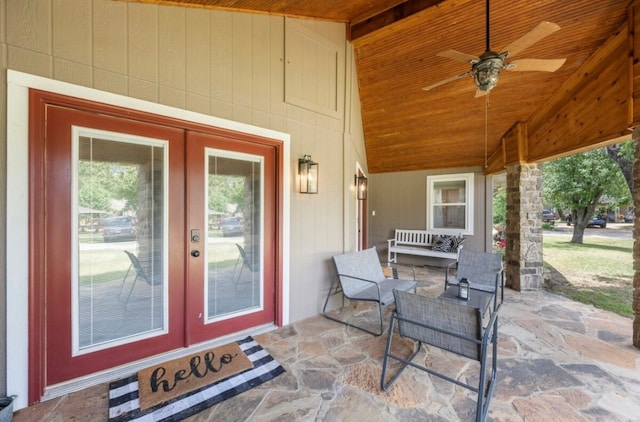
230 65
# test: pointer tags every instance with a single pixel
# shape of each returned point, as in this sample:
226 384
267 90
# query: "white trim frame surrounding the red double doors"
18 85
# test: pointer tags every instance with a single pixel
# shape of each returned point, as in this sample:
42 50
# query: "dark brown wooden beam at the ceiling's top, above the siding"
362 26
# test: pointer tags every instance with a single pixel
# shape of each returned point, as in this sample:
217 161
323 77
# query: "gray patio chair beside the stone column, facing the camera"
483 270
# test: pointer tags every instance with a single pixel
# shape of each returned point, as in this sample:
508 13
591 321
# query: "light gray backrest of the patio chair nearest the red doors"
363 264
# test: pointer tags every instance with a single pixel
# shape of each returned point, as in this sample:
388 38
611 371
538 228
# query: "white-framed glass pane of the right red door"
234 268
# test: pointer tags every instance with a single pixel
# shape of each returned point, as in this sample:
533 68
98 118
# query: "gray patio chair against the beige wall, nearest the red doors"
359 277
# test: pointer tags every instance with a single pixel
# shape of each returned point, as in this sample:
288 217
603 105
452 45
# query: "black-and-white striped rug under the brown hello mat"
124 394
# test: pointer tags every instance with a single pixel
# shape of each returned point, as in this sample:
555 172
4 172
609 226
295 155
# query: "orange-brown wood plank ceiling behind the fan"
396 46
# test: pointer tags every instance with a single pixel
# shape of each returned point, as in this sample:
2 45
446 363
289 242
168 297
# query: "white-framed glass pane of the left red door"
119 239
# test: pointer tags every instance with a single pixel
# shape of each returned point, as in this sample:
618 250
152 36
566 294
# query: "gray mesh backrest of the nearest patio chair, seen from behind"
421 318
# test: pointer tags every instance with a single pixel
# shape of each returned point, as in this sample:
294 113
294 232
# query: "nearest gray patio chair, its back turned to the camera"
451 326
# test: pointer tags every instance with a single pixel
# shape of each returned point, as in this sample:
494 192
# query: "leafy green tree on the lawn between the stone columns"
577 183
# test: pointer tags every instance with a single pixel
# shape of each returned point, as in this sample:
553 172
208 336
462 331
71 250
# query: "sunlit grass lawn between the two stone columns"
598 272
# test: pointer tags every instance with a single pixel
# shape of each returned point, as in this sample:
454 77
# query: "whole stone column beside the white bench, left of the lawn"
523 251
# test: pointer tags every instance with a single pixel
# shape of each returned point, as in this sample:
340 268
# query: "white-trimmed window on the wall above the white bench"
450 203
